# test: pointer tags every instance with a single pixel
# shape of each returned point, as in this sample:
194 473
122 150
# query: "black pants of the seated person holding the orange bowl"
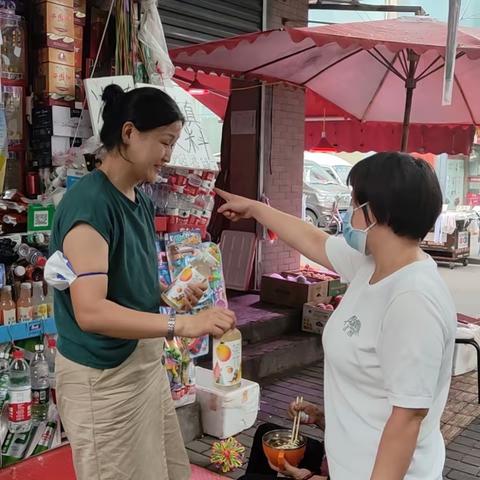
258 468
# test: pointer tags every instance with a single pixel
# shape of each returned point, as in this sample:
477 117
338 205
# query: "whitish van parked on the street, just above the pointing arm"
326 200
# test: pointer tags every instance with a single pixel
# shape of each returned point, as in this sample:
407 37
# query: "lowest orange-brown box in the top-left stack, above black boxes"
56 81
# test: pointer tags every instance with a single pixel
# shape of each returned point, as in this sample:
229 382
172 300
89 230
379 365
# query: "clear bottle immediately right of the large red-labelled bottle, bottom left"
40 386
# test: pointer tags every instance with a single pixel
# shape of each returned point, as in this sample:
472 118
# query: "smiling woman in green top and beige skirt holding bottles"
113 393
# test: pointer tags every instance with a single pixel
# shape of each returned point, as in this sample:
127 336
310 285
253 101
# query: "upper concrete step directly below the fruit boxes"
259 321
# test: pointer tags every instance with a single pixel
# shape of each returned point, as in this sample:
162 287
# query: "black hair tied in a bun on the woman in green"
147 108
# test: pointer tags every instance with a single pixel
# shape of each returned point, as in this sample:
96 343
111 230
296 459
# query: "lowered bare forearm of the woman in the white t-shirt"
397 446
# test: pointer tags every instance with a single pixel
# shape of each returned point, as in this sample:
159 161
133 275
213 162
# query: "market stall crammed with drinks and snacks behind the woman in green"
48 140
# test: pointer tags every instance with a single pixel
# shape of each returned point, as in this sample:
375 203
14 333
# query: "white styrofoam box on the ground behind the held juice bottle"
226 412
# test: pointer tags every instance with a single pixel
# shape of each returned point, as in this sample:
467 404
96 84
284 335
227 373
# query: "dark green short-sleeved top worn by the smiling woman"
128 228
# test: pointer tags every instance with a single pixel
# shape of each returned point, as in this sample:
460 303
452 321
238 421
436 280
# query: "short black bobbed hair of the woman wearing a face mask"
402 192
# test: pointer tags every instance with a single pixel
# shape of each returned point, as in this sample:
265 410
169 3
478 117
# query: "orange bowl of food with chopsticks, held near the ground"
272 447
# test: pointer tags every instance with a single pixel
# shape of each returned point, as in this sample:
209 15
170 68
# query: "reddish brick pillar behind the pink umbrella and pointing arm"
283 171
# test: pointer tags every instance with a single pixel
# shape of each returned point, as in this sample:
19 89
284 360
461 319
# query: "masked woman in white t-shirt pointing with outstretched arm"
389 346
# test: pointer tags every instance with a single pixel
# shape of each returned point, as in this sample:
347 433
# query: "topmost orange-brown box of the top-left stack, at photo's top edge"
54 26
